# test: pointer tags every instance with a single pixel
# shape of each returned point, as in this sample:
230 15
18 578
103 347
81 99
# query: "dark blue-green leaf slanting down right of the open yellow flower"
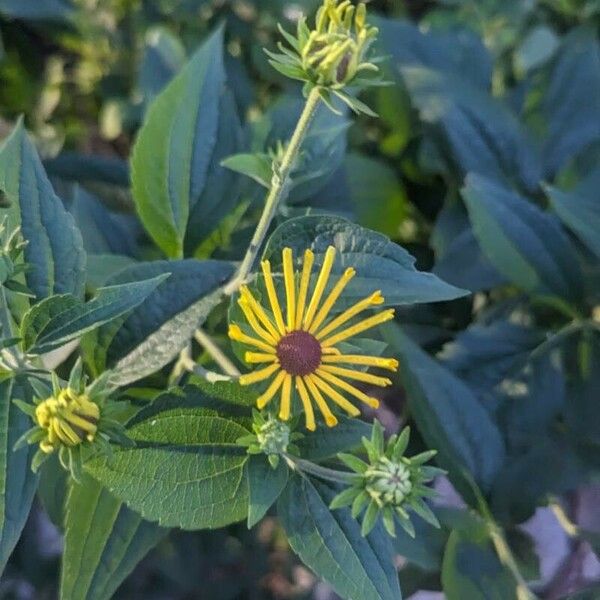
448 415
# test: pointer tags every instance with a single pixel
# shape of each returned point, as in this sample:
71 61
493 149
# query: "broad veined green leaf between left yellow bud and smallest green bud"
186 469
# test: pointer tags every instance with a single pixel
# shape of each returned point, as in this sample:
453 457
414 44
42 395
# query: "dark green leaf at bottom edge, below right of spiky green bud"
471 568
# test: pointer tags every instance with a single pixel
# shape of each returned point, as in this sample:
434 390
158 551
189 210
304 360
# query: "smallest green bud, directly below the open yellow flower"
271 436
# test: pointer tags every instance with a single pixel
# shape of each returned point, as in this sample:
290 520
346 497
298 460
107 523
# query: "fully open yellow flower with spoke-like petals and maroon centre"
299 347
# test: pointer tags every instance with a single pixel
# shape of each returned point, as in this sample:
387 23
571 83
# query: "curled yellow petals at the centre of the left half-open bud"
68 420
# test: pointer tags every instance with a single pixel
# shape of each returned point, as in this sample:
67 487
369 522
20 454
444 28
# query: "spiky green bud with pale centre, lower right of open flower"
390 484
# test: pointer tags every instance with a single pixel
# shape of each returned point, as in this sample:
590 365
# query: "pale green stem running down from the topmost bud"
279 189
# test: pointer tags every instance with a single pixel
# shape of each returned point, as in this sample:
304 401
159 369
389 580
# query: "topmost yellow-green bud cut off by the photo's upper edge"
333 55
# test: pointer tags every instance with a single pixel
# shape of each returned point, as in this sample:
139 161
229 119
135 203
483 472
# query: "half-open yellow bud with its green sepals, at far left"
73 421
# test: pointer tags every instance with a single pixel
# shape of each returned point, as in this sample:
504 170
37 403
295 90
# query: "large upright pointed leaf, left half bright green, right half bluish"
189 129
